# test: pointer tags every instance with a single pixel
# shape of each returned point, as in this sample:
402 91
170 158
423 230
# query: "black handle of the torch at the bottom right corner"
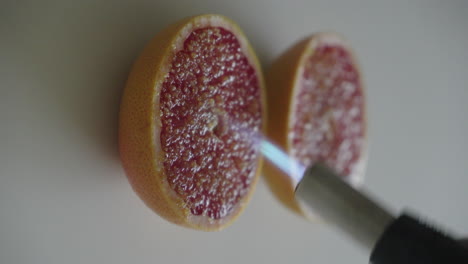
408 241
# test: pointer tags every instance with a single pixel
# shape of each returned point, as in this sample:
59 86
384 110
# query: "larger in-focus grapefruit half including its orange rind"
190 123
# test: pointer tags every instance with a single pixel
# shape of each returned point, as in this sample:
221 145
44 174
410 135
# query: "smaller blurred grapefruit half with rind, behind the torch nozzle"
316 111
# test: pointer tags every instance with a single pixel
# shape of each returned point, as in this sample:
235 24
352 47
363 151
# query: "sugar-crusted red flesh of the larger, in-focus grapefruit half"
210 116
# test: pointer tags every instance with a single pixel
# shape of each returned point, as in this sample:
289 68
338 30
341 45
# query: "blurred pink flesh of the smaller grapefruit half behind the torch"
328 117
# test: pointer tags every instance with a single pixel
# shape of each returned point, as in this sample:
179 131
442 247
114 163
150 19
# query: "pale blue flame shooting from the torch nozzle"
282 161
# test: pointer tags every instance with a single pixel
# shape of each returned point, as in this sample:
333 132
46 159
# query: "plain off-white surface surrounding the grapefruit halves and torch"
64 197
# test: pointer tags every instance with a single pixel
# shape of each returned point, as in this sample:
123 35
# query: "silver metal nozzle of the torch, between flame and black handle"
321 190
